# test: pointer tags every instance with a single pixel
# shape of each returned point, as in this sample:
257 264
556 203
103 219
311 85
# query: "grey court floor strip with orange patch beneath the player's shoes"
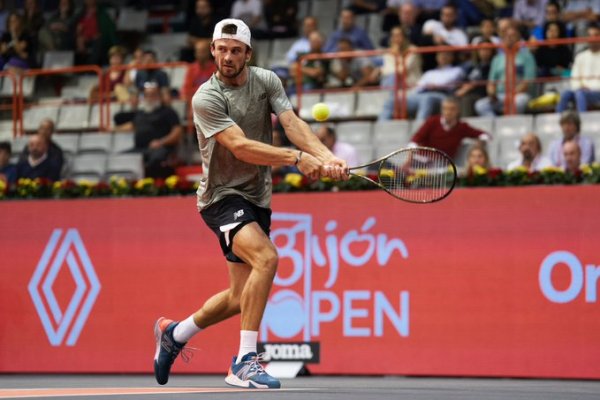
131 387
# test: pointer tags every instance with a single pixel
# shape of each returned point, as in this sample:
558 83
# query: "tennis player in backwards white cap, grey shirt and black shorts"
232 115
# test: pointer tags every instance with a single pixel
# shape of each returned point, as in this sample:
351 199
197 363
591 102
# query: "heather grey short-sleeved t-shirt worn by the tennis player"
217 107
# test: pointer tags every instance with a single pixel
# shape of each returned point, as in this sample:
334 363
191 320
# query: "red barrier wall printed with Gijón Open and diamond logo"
490 282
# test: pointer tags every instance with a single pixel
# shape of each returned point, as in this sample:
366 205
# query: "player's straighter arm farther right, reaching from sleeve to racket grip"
302 136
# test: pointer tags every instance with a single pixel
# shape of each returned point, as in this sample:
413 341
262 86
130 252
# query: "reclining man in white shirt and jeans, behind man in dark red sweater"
434 86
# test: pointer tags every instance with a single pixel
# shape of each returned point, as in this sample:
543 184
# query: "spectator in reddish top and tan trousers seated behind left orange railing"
116 80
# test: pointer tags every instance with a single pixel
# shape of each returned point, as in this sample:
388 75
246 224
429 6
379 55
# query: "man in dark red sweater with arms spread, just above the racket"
447 131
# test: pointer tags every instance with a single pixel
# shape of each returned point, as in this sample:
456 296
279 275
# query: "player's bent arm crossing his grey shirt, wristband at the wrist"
255 152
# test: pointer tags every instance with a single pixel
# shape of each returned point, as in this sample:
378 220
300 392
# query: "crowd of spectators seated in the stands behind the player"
439 86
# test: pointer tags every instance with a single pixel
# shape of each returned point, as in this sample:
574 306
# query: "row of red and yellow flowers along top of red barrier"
292 182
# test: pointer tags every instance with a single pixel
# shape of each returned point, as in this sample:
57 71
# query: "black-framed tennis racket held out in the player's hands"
413 174
